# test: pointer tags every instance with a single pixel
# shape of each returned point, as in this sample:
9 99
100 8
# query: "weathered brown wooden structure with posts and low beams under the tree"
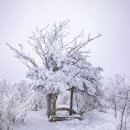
51 108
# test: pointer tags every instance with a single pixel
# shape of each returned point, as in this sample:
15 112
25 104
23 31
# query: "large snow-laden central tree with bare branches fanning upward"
64 64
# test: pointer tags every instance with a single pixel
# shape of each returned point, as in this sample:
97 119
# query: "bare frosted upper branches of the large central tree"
44 39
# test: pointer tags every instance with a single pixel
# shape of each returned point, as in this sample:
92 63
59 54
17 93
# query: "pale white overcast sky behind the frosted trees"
18 19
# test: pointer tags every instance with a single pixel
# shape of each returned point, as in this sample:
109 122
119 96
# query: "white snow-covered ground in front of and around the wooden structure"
95 120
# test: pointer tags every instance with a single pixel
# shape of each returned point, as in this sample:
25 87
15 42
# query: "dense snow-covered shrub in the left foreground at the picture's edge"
15 100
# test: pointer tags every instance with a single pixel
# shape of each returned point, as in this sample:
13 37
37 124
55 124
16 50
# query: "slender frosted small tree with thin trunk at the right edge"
118 94
